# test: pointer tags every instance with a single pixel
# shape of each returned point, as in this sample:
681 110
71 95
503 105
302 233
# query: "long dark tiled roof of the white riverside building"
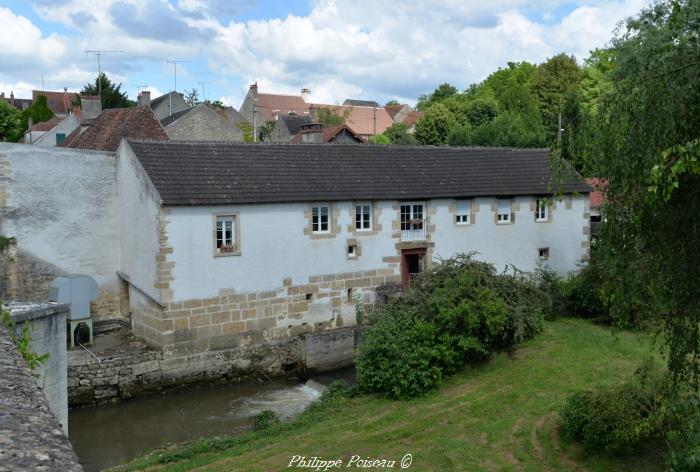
207 173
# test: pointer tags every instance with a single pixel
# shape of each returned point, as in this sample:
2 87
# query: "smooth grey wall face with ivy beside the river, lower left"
48 332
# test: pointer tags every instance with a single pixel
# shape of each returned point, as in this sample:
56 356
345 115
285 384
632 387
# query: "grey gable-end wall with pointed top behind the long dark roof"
203 124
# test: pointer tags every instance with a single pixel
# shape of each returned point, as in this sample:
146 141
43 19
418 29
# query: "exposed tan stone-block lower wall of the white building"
233 320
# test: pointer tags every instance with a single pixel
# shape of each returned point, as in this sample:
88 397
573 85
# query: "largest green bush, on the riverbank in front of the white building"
459 311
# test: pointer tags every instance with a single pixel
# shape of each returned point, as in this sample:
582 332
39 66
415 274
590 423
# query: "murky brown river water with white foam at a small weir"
110 435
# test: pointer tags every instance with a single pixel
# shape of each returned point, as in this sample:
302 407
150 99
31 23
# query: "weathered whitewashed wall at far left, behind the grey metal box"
61 207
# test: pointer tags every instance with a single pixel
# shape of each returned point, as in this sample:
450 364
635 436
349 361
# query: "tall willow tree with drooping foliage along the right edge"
650 130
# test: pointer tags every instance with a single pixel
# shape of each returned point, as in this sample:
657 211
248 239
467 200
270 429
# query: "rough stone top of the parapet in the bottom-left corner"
30 436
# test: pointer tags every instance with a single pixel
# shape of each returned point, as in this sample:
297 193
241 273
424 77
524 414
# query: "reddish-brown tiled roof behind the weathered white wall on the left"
108 129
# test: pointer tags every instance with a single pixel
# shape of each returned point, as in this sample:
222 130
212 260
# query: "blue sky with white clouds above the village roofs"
363 49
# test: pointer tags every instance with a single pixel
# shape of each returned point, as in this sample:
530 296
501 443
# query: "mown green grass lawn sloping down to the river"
499 416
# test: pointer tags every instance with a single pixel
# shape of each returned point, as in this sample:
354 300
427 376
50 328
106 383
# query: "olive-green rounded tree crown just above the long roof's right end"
551 83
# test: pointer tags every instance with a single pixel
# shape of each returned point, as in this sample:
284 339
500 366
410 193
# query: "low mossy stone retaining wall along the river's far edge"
138 369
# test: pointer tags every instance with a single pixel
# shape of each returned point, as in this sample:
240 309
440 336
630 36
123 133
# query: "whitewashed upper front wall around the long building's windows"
274 246
